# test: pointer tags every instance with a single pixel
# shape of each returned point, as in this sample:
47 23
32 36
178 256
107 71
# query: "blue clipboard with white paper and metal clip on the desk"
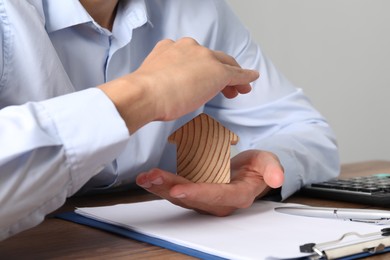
204 236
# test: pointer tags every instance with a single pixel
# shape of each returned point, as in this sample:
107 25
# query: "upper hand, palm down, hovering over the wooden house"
176 78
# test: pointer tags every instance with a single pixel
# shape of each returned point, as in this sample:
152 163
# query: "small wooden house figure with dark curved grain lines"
203 150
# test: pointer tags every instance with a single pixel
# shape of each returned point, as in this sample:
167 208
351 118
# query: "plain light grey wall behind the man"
338 52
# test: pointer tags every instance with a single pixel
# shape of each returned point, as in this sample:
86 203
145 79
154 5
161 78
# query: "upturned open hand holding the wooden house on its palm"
254 173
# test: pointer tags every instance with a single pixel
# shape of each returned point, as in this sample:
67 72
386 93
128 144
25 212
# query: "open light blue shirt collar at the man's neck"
67 13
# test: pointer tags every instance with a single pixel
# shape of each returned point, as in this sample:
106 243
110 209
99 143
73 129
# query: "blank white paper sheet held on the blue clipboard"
255 233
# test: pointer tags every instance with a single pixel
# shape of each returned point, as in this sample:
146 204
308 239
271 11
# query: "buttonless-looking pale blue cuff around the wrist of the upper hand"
91 130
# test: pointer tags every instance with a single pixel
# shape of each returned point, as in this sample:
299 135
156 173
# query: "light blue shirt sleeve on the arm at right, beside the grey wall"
276 116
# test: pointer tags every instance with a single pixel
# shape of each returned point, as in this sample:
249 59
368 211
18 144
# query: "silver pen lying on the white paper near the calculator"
379 217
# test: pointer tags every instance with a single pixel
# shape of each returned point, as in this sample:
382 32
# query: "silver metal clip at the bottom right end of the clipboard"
350 246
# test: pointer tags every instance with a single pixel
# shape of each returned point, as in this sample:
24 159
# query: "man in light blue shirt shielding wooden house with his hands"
91 89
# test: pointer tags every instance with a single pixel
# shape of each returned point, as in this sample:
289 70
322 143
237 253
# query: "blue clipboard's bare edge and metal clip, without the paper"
358 246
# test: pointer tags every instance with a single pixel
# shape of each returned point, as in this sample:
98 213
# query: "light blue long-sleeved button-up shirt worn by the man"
60 134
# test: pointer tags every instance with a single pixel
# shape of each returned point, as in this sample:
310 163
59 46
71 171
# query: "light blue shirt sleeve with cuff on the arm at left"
50 149
